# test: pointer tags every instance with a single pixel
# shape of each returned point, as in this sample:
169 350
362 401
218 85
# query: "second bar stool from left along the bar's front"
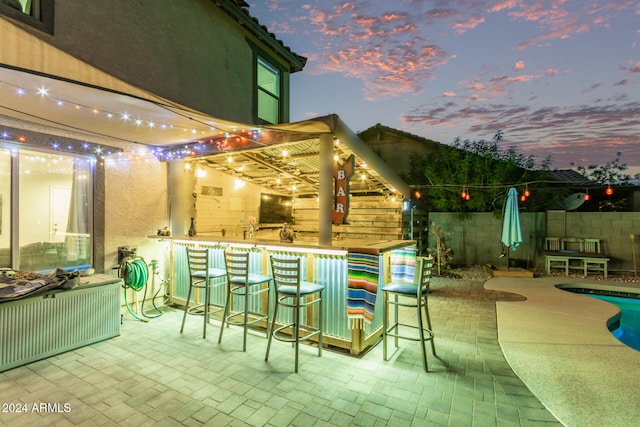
242 283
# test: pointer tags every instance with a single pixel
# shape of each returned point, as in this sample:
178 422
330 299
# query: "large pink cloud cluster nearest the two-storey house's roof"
383 49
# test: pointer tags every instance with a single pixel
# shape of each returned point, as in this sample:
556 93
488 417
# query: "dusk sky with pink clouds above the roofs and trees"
560 78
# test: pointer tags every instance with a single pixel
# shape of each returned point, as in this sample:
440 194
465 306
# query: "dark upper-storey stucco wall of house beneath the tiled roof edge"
190 52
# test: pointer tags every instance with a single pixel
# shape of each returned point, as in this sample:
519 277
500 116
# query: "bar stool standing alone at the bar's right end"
418 291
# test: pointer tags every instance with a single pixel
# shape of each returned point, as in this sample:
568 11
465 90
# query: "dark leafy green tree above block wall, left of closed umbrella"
479 169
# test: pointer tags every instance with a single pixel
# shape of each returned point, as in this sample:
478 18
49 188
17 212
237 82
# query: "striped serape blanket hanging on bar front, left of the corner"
362 287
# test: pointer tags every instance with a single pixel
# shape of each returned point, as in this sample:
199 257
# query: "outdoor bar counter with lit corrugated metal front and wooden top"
349 322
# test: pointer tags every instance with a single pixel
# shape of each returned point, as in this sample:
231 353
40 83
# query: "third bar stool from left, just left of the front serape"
291 292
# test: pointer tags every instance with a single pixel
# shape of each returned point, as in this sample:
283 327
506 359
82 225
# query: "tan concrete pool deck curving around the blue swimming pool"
558 344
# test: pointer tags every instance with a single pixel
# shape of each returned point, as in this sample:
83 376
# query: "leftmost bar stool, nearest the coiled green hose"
201 276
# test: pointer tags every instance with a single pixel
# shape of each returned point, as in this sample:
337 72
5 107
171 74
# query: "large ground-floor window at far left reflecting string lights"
54 197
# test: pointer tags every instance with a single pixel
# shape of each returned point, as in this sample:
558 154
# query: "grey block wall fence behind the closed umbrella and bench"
475 238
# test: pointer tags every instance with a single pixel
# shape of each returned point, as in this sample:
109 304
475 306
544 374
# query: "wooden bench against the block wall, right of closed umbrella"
575 254
